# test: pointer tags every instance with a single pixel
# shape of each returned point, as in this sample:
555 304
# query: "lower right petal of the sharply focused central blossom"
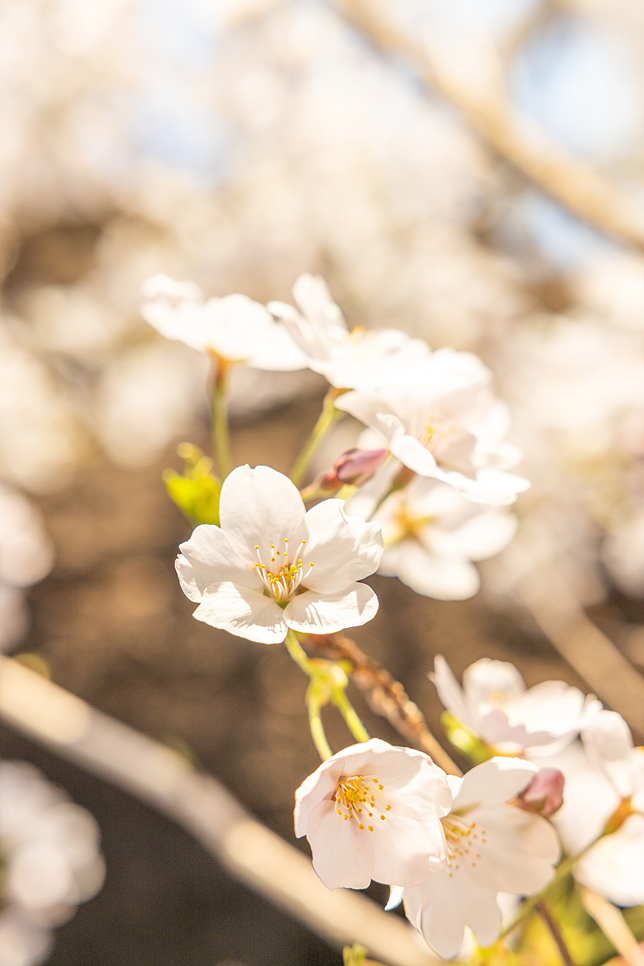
313 613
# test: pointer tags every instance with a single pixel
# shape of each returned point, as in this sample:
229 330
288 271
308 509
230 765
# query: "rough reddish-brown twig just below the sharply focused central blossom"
384 695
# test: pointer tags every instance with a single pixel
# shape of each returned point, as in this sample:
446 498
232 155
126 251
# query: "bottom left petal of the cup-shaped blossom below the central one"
343 855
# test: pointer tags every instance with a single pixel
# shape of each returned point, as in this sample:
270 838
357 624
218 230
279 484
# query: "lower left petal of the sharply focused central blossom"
245 614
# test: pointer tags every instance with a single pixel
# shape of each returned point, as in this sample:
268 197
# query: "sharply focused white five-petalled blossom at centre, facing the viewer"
272 565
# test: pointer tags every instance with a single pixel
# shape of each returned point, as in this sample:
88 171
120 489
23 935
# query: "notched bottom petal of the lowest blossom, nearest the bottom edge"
442 906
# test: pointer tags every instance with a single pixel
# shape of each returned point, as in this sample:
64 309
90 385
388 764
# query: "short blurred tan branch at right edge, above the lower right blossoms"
561 617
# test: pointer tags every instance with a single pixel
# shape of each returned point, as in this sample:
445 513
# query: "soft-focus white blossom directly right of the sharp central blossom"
432 535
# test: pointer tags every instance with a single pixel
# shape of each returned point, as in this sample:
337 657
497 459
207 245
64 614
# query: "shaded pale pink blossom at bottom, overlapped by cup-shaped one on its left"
493 847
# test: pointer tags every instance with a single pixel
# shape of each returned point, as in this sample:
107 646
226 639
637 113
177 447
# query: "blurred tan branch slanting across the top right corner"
487 110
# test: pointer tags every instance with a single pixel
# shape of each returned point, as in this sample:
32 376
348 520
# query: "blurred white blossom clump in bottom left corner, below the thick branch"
49 859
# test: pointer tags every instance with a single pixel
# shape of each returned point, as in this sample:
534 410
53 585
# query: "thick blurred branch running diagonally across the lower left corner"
161 778
